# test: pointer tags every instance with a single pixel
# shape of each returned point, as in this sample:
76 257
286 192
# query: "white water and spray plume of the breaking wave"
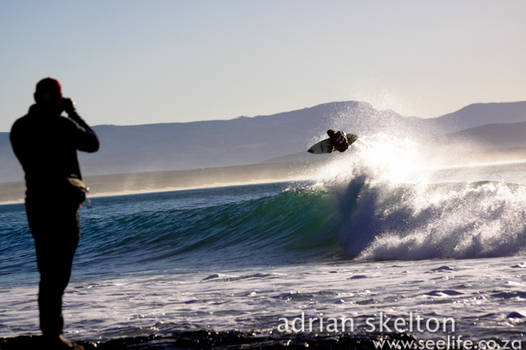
409 209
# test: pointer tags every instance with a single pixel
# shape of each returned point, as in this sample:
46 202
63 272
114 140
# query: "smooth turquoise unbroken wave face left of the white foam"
286 226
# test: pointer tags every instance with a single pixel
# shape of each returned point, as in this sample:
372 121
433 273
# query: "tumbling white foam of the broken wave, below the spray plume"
438 221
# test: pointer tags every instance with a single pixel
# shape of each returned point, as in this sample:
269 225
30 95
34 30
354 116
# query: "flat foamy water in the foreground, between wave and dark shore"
485 297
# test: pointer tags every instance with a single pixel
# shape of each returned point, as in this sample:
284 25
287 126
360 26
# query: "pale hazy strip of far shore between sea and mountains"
13 192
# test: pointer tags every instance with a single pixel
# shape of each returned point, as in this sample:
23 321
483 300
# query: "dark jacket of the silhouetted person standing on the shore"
46 145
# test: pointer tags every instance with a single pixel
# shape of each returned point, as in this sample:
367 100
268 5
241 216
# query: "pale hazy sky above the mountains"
134 62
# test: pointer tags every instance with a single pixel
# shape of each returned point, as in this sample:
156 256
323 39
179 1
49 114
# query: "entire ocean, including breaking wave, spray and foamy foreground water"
377 233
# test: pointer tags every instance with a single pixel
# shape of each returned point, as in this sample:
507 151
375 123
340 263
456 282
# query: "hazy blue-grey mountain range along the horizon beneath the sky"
250 140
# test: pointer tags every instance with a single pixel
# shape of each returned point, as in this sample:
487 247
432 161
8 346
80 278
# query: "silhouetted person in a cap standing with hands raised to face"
46 144
